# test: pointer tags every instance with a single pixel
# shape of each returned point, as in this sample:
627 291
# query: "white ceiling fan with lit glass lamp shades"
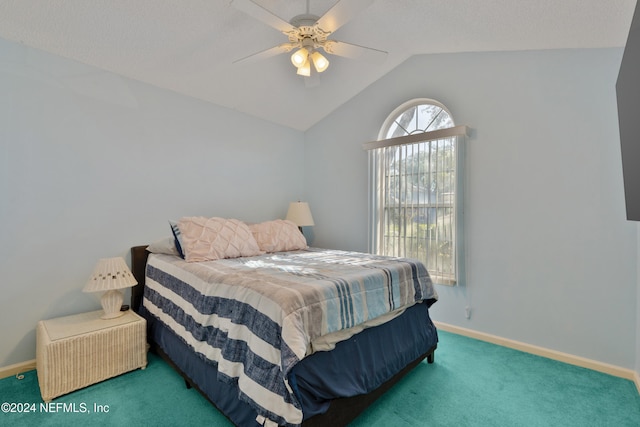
309 33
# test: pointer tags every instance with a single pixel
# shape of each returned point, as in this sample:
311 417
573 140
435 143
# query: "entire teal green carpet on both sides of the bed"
472 383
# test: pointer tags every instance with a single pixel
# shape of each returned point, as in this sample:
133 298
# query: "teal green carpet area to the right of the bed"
473 383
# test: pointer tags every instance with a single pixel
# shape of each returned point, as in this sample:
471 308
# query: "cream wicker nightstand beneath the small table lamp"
76 351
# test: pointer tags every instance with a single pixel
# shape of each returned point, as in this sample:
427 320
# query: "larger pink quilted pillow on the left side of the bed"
206 239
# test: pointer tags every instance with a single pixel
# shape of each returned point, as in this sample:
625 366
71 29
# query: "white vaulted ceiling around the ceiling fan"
189 46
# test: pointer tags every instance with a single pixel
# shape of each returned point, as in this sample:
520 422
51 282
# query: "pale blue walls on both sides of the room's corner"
91 164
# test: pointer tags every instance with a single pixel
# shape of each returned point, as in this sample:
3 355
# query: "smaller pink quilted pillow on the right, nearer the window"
278 236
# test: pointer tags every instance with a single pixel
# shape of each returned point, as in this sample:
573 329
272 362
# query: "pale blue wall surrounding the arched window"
551 258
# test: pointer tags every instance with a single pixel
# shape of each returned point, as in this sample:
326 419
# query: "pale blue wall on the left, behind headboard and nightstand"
91 164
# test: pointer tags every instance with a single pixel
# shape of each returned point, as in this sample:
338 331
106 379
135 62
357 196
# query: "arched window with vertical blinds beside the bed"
415 188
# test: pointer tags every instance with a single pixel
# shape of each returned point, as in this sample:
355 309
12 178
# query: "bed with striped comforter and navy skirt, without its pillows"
266 347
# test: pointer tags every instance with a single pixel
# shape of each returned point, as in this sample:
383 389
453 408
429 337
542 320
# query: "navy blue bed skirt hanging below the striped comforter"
356 366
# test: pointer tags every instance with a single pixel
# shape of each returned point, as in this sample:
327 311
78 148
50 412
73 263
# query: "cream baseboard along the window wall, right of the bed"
545 352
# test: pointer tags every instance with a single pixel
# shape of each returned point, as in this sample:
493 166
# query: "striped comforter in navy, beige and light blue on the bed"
256 316
